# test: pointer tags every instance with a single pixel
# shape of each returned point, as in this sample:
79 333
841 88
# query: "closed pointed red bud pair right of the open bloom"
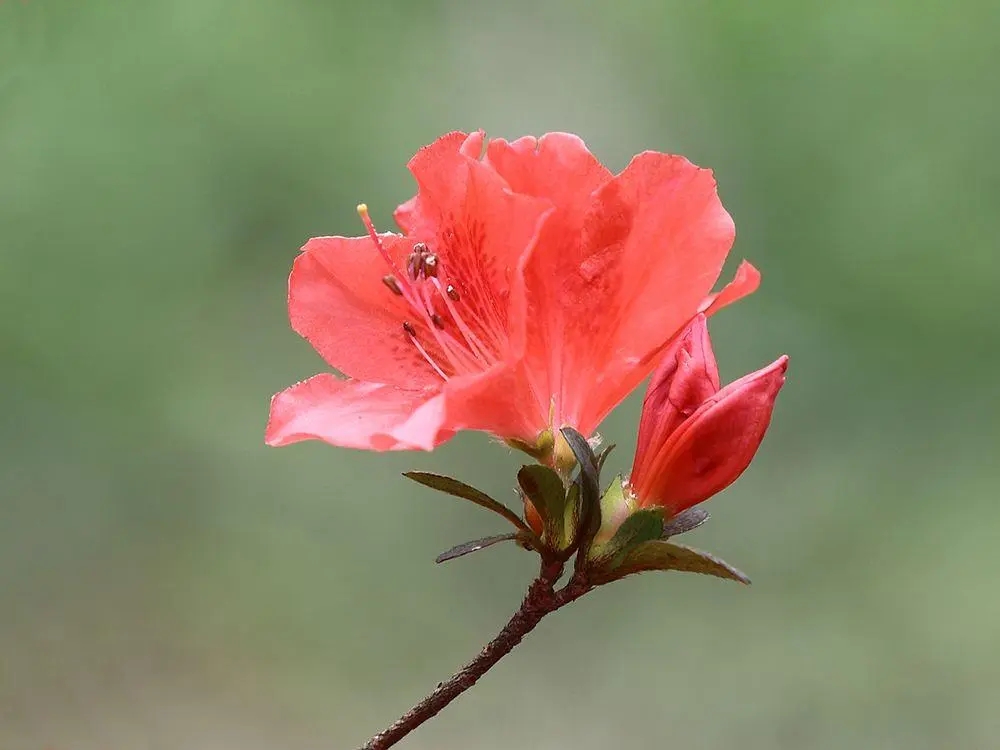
695 439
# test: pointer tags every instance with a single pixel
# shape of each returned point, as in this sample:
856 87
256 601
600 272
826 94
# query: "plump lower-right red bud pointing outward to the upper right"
716 445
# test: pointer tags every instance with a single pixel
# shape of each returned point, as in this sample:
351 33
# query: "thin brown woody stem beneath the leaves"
541 599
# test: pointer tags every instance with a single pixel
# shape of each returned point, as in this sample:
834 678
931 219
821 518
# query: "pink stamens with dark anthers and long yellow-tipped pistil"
447 327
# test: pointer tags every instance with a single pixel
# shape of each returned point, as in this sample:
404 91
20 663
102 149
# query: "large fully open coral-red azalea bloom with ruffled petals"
532 289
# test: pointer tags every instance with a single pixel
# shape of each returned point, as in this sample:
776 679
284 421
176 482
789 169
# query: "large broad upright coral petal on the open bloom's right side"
652 245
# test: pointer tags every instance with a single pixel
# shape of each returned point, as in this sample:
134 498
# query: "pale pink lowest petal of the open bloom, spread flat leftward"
356 414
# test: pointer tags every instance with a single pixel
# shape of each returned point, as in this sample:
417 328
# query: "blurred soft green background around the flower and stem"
166 581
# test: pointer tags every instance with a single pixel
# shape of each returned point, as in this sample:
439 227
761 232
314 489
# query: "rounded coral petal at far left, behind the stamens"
339 304
